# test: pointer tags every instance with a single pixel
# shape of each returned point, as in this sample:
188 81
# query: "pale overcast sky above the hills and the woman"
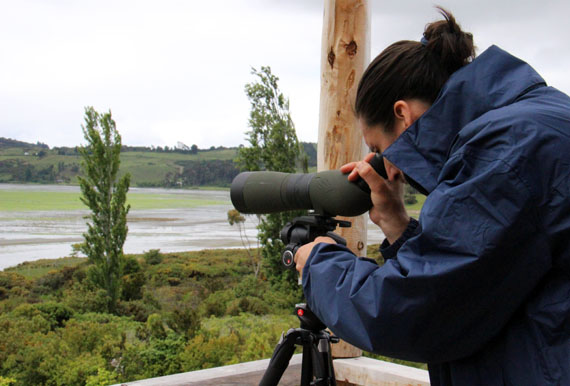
175 70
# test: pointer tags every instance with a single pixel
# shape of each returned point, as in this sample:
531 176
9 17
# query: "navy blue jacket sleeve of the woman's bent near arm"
451 287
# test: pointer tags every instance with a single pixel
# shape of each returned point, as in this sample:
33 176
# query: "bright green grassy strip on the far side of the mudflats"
19 201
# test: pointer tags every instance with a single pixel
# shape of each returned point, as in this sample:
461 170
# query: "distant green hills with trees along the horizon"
23 162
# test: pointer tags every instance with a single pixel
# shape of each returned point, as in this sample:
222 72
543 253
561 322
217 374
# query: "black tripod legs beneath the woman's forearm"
317 368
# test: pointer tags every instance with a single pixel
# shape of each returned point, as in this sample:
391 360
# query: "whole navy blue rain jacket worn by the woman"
480 289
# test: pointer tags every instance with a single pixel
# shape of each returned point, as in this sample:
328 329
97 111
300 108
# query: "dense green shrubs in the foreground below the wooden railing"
178 312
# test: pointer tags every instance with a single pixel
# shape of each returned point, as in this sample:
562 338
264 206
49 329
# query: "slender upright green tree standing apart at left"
105 194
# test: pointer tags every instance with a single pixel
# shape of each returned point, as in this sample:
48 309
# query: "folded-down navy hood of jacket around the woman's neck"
493 80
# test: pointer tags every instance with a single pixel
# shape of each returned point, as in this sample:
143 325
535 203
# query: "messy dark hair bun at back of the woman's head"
445 39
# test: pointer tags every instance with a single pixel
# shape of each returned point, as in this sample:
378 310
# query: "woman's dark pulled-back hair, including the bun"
409 69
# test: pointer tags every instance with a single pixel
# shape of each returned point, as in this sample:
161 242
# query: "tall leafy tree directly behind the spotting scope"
273 146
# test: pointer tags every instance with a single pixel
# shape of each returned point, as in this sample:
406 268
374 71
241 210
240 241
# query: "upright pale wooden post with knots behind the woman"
345 53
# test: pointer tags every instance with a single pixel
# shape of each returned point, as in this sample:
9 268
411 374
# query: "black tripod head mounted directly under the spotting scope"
303 230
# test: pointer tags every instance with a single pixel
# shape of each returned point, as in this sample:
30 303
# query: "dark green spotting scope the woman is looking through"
328 193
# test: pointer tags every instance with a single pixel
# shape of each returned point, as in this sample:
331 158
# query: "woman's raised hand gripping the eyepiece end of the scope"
388 211
